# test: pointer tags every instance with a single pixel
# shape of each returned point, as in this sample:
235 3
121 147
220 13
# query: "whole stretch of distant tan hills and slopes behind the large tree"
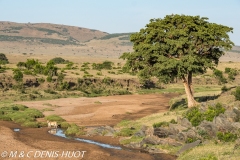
33 39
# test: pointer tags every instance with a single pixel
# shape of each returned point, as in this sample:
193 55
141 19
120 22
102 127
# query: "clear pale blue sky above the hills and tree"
117 16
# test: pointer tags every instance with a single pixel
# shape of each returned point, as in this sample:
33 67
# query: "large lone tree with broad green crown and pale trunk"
177 46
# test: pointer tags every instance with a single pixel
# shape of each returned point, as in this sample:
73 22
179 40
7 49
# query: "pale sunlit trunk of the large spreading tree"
189 91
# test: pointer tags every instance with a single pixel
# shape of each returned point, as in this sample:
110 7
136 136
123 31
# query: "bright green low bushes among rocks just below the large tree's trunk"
195 116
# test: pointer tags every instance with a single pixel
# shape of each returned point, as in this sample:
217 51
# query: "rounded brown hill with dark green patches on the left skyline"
46 33
